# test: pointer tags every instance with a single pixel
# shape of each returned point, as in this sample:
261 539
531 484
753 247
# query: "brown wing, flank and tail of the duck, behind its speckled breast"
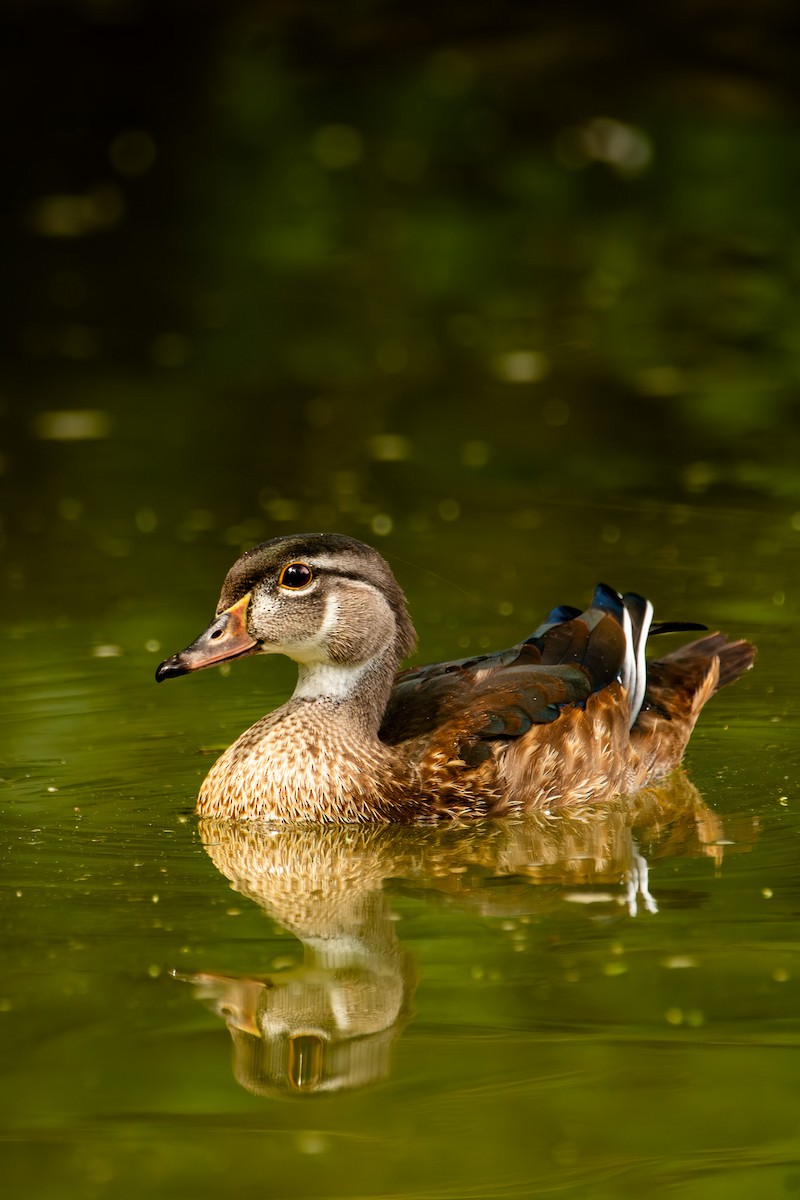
580 680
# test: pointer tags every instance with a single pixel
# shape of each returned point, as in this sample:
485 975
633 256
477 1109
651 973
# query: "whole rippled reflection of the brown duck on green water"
329 1024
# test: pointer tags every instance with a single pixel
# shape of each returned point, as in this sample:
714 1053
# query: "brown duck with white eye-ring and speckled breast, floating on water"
572 715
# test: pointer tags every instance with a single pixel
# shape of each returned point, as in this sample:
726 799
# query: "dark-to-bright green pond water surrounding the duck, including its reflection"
526 322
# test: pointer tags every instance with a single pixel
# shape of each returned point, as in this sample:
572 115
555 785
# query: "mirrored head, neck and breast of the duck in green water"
328 1024
